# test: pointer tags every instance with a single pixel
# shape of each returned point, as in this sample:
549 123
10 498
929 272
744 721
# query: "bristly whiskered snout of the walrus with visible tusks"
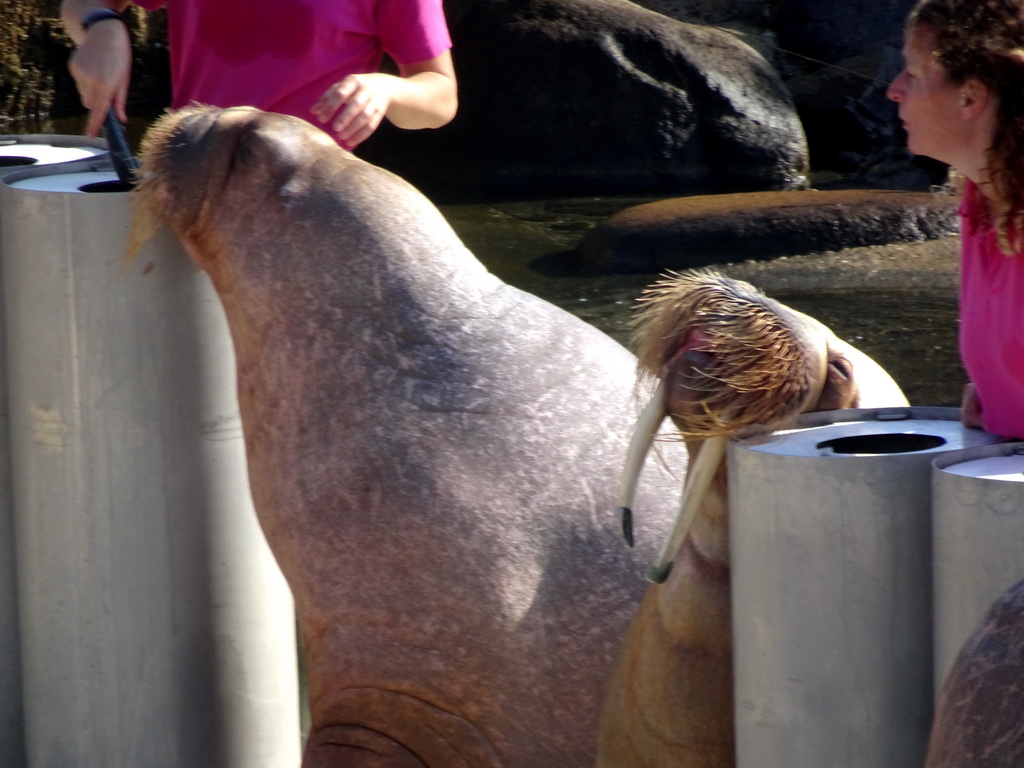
730 357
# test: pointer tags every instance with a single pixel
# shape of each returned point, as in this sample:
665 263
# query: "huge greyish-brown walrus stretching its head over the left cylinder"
434 454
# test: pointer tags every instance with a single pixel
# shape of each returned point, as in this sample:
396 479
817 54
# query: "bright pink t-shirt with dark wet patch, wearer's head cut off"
281 56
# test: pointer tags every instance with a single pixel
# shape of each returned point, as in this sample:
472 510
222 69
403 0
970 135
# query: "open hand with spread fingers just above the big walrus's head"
355 108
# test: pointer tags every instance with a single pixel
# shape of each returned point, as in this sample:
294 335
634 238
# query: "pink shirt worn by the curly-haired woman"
992 333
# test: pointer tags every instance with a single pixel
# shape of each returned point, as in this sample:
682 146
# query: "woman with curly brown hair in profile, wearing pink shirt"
961 99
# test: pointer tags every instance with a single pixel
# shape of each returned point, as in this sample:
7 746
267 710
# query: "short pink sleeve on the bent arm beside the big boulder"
413 31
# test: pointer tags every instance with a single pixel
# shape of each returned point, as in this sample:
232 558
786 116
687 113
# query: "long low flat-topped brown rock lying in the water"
714 230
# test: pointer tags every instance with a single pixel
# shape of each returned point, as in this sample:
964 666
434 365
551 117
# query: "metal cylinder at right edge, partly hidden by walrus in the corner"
978 540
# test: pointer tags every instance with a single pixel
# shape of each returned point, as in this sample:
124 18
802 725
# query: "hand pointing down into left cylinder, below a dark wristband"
102 68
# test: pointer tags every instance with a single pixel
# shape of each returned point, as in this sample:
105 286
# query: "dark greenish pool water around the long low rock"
912 333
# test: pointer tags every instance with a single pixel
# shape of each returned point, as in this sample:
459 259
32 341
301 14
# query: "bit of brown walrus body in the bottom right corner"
979 720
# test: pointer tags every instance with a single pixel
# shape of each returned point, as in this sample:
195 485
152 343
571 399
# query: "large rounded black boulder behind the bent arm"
564 97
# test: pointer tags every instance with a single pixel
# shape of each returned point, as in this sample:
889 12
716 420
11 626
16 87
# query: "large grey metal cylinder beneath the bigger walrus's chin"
156 627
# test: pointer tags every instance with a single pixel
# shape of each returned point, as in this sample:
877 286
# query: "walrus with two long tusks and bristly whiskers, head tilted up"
729 361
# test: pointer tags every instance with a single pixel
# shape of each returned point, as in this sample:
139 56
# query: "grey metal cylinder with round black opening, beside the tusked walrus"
831 548
